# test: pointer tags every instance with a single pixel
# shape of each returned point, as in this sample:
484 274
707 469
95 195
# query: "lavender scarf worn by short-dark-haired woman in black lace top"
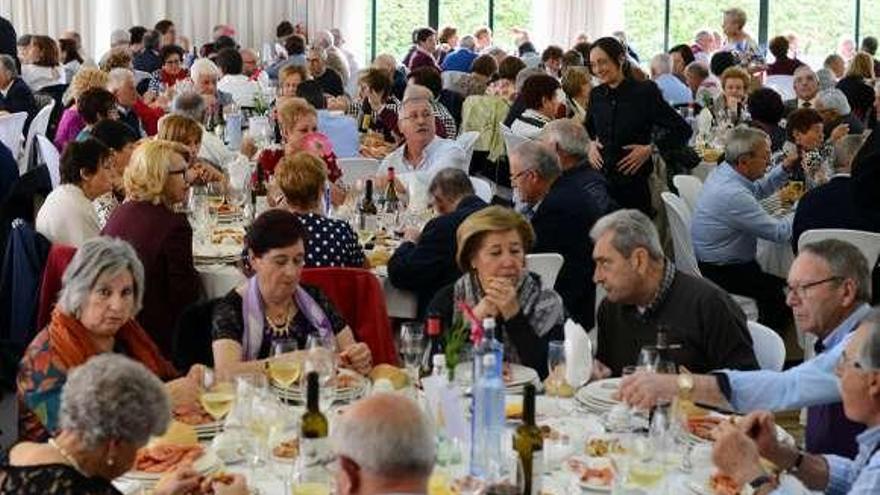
252 311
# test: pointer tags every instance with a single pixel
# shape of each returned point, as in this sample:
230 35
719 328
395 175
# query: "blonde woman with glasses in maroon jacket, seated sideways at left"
155 183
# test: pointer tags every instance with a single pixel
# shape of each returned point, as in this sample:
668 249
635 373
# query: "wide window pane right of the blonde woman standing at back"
818 25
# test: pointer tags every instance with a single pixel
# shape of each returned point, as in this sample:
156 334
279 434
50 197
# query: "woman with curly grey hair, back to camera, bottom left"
109 407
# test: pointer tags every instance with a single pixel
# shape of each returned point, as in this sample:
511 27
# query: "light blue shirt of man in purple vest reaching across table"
811 383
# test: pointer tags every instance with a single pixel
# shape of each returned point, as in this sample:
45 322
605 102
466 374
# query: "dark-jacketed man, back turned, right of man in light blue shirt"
813 210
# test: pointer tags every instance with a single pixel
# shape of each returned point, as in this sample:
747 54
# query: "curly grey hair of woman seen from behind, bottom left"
113 397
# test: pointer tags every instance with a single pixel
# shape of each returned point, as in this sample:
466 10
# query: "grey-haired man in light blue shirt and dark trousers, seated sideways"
728 220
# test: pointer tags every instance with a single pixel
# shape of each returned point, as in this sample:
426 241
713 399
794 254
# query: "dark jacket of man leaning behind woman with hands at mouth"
428 265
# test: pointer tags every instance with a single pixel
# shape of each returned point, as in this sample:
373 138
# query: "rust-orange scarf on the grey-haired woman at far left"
71 342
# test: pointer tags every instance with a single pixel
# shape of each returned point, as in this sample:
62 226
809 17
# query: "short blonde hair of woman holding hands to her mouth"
474 229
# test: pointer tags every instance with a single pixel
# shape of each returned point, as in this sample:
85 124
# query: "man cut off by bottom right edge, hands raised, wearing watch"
738 449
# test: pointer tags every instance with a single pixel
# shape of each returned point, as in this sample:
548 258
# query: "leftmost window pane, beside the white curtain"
395 22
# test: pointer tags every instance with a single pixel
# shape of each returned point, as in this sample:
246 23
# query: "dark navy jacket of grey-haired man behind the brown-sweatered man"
562 225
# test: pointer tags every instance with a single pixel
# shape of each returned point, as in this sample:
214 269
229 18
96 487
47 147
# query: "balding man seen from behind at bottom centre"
382 453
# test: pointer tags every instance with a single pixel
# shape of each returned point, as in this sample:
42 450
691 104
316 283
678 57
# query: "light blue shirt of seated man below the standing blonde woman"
728 220
